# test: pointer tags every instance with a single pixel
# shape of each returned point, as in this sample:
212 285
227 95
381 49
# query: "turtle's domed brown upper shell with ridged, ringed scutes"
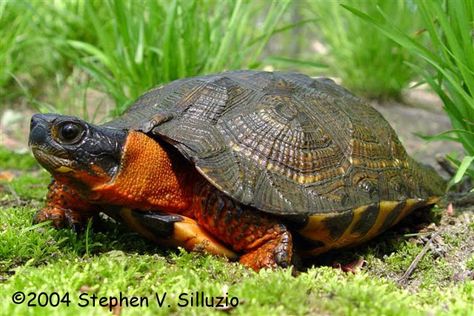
283 143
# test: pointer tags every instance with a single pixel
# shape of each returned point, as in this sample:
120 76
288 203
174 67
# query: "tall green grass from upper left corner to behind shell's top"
124 47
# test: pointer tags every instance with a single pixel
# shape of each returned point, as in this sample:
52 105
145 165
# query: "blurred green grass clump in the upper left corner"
30 42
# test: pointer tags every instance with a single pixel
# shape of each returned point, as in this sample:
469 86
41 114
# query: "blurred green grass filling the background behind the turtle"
91 57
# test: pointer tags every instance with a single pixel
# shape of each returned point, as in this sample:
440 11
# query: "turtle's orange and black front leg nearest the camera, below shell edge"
265 242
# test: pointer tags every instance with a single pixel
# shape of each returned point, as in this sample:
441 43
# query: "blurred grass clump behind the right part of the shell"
366 61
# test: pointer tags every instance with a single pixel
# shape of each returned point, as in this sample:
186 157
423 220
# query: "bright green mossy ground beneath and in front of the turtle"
112 261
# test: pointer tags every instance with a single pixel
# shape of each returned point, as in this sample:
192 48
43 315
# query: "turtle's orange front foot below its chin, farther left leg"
64 207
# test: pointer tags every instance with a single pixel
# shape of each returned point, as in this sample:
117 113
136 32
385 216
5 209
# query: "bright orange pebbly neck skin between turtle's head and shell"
149 178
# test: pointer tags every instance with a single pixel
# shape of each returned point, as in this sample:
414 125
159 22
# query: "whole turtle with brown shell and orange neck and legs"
256 166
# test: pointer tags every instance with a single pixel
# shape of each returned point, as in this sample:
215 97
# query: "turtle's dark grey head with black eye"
74 150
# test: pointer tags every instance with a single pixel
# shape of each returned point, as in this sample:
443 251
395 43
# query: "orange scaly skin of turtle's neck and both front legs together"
153 178
